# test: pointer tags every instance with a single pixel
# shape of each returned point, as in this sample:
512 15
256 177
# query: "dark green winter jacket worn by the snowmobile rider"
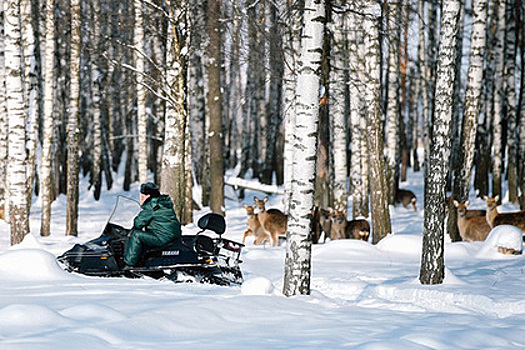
158 217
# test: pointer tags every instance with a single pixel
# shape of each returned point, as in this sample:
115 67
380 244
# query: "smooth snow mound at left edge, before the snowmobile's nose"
31 264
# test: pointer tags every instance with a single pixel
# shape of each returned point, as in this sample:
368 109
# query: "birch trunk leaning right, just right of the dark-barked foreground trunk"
465 157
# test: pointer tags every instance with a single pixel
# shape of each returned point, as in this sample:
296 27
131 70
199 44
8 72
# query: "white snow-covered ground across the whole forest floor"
363 296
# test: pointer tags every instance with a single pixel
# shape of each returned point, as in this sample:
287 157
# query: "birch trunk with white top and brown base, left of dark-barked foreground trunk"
381 226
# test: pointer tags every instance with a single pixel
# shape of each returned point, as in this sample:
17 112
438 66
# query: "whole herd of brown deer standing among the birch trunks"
269 225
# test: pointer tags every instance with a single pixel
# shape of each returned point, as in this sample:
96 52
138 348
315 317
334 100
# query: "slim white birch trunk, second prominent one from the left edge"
46 188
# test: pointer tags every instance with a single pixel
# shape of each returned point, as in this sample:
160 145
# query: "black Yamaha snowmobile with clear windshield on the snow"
200 258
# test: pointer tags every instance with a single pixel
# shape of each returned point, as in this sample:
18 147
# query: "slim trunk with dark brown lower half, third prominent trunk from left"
72 125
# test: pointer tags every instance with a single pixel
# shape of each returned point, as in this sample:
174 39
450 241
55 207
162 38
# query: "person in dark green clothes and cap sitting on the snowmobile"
154 226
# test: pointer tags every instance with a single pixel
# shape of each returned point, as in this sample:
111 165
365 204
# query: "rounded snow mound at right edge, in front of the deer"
500 238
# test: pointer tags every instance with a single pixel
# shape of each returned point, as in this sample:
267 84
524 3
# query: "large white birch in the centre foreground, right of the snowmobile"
298 250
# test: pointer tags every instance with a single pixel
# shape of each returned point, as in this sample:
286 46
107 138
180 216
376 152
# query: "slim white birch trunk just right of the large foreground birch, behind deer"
337 110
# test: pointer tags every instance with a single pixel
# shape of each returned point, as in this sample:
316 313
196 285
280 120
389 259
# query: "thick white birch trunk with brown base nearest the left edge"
18 210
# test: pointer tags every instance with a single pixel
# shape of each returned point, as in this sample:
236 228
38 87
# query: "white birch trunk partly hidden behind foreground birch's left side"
291 50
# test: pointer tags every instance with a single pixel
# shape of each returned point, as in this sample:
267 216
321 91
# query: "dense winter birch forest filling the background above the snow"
330 99
